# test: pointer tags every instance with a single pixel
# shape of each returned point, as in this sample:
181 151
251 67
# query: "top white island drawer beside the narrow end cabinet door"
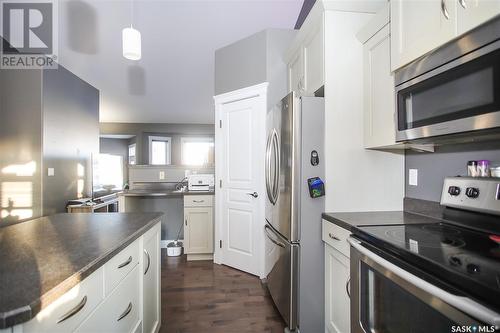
120 265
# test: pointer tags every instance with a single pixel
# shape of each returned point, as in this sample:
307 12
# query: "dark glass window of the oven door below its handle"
386 307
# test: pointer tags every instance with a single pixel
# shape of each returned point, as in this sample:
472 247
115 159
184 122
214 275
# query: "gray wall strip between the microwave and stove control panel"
449 160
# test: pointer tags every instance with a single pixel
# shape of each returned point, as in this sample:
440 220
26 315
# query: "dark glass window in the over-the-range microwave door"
467 90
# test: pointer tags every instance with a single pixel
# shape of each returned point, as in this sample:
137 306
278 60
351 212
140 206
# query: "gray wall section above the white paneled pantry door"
253 60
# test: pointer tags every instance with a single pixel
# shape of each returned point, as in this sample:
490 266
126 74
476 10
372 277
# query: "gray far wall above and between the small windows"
142 131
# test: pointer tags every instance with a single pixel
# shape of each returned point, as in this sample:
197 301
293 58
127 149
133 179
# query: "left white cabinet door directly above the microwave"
419 26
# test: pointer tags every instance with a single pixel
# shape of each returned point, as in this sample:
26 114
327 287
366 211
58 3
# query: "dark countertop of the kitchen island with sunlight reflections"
41 259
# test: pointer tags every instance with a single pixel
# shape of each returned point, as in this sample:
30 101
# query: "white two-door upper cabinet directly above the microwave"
418 27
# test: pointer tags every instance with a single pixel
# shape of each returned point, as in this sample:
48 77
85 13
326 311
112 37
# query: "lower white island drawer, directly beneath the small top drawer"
120 311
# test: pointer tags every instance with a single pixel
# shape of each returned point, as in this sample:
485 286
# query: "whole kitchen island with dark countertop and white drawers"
72 272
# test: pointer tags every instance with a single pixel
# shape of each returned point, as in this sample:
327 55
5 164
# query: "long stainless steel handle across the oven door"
462 303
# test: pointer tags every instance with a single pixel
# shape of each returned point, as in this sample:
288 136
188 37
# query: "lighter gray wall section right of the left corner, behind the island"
71 136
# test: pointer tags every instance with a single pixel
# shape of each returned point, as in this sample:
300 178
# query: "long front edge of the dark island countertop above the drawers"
27 312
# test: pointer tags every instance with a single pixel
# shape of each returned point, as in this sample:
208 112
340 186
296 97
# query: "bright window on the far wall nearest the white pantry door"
197 151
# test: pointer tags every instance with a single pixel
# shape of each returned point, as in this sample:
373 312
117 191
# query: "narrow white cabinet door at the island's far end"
151 279
